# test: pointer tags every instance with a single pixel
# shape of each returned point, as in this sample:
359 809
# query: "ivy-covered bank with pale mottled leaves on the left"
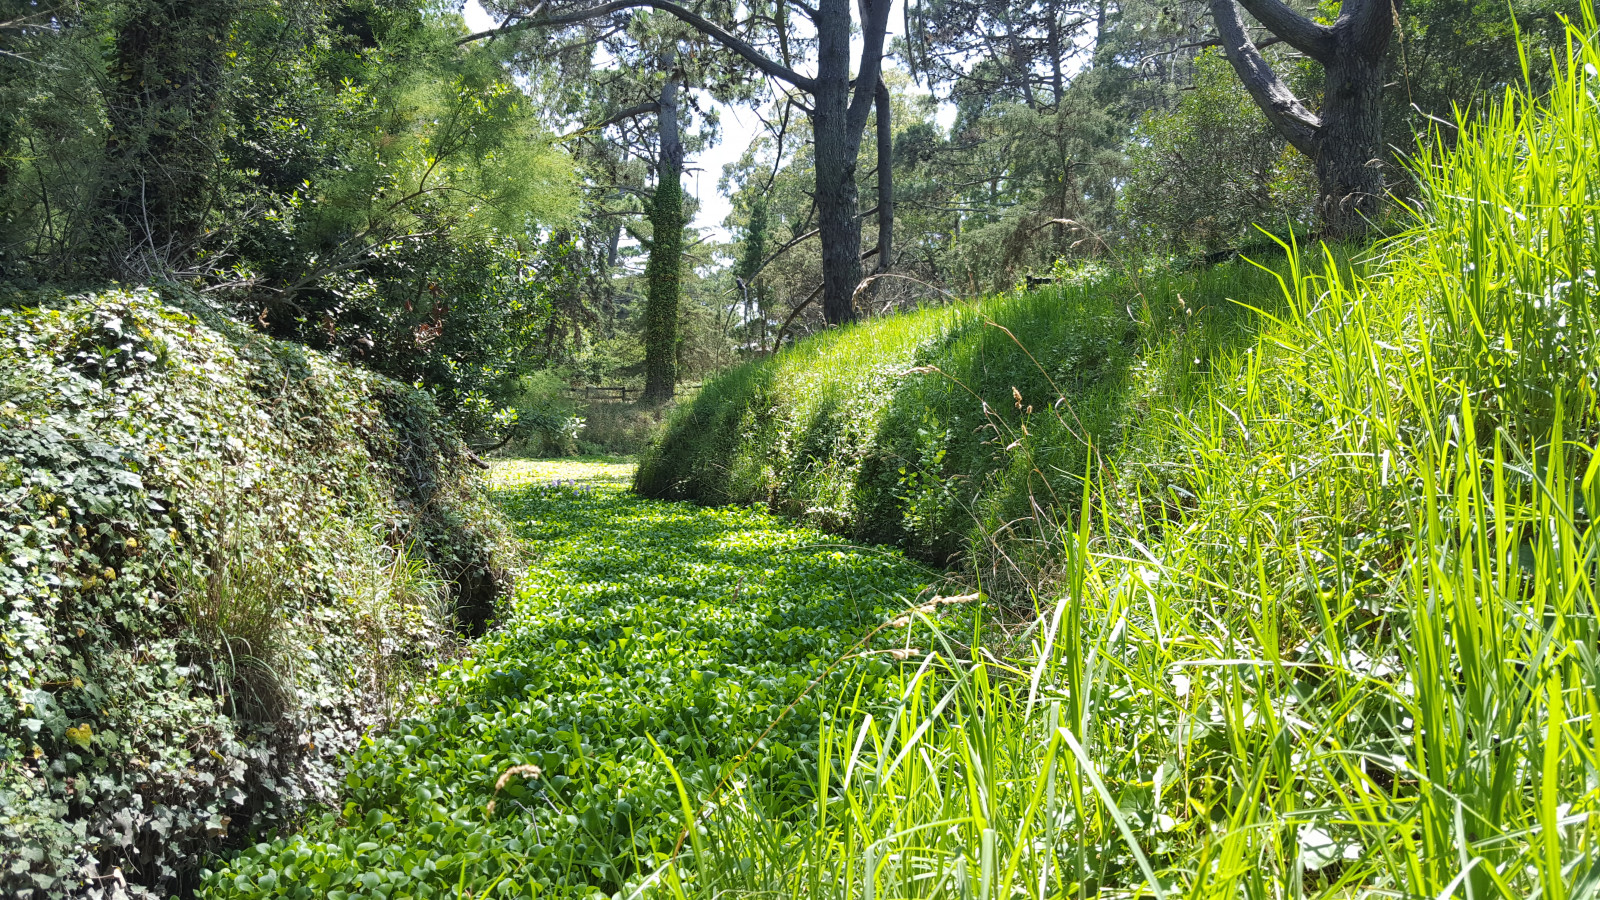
218 553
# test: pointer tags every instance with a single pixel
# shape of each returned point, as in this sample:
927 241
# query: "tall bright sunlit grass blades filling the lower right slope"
1326 629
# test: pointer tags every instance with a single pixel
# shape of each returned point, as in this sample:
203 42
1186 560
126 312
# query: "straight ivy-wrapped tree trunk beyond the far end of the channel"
663 273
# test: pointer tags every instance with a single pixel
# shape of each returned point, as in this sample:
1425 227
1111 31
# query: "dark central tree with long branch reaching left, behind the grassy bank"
841 106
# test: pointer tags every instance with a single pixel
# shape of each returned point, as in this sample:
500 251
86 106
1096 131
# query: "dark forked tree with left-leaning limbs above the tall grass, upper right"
1345 140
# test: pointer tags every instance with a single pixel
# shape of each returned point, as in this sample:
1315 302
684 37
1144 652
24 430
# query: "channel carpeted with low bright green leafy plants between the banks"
639 621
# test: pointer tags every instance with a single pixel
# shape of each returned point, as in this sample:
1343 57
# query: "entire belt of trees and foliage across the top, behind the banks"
463 209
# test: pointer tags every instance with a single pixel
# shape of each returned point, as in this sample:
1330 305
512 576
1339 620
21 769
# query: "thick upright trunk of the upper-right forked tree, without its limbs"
1350 143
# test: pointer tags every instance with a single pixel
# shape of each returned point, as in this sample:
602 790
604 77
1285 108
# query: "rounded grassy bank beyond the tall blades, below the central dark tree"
961 428
